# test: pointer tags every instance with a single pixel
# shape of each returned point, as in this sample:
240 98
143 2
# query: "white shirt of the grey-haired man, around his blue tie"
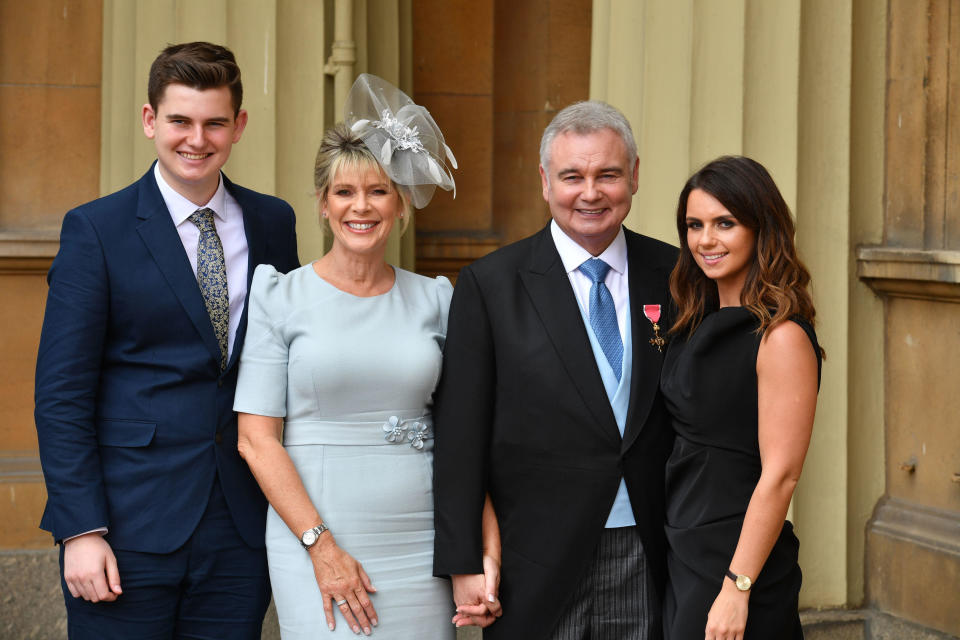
573 255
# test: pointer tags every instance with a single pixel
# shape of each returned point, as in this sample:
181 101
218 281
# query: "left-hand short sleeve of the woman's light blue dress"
262 380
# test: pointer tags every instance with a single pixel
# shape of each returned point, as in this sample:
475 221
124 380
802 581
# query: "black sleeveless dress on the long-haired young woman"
709 383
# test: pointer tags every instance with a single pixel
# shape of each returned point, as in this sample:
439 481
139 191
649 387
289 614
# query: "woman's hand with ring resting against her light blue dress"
340 577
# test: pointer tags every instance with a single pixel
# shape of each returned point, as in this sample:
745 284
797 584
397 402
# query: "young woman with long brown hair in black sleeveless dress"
740 379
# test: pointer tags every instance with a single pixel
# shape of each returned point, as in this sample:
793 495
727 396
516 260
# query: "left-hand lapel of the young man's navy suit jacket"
160 236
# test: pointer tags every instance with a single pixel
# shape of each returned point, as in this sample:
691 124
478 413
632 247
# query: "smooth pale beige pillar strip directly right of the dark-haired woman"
823 219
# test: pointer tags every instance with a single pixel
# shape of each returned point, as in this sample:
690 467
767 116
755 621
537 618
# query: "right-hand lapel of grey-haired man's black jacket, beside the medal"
647 360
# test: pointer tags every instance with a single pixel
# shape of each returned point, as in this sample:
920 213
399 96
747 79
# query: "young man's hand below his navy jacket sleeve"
90 568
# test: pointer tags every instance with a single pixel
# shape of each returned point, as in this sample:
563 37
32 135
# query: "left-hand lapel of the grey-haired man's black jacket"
552 296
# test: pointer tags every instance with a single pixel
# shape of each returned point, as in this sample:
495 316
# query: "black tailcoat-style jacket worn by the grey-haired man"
521 412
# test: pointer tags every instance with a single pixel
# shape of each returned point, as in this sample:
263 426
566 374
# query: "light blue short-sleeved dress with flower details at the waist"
353 379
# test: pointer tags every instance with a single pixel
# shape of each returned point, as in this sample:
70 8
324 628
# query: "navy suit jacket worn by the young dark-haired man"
134 417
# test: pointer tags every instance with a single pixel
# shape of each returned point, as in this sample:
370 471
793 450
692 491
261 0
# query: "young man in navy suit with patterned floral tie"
160 522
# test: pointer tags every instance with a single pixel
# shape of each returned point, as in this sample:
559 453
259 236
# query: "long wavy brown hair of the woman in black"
776 285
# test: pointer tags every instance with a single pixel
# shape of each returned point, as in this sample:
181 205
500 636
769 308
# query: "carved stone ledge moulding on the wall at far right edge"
925 274
